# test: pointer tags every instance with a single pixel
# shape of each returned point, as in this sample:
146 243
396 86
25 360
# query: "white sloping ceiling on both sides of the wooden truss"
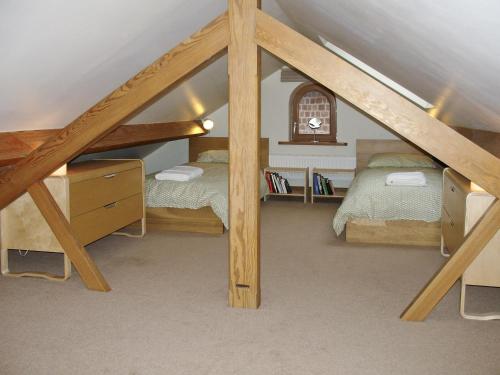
60 57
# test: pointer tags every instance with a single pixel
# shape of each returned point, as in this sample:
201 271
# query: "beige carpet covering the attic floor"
327 308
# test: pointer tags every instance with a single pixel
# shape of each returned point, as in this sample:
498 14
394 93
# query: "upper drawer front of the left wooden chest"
97 192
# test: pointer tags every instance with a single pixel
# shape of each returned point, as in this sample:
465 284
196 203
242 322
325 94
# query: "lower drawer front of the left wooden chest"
95 224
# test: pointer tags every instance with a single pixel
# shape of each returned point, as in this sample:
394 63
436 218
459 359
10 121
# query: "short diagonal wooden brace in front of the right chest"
444 279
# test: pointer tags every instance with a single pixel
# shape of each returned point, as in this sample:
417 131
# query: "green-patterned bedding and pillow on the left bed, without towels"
210 189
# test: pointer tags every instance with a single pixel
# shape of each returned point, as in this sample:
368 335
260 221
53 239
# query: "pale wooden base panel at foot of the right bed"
394 232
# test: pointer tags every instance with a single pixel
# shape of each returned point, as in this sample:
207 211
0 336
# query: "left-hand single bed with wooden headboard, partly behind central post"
199 205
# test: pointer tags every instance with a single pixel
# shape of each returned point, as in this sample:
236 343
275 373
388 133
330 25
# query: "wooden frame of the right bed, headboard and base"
392 232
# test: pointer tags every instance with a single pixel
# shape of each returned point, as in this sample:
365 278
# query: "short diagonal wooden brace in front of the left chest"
89 273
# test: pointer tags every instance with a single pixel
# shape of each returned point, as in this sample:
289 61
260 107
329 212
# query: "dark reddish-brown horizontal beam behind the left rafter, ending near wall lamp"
14 146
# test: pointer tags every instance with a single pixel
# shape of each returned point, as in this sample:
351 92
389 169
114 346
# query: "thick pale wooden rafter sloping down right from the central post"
380 102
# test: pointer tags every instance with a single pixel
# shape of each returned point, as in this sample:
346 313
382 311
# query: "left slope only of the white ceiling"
60 57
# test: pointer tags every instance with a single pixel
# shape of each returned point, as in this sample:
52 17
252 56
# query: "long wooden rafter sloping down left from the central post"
109 112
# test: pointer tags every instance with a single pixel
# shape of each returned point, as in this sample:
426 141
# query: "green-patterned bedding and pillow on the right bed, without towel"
370 198
